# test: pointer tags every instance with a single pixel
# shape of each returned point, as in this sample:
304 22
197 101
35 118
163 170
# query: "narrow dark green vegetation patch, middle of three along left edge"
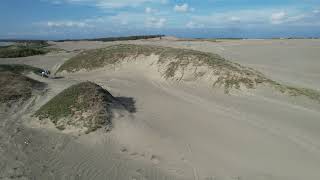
19 68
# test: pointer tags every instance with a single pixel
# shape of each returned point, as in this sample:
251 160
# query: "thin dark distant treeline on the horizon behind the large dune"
115 38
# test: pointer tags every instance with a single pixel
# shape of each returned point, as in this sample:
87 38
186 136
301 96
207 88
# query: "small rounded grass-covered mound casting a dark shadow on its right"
84 105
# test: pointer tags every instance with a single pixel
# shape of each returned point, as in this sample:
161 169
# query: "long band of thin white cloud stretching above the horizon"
150 19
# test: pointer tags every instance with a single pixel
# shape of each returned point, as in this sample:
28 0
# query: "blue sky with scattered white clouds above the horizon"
70 19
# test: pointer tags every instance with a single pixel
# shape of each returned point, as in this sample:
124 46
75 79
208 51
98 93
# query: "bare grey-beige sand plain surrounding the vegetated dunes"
179 130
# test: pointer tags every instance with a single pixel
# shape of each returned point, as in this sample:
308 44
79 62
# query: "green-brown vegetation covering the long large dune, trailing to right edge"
225 73
